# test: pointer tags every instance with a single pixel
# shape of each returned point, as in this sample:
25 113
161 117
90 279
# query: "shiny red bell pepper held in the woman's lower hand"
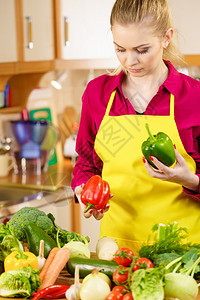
96 193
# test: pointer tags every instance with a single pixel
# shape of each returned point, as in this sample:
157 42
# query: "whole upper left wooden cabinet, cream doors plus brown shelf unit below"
27 48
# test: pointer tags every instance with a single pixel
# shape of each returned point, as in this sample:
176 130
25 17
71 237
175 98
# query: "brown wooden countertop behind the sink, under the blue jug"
57 176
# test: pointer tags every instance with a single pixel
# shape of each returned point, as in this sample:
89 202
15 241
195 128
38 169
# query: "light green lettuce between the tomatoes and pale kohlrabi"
148 284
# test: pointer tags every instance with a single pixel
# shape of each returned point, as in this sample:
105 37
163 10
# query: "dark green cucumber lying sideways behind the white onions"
87 265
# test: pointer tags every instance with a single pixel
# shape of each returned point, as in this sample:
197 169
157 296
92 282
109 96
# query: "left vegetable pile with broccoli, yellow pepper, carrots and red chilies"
34 272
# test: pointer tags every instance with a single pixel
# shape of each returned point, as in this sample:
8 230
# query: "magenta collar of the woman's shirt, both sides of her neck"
172 83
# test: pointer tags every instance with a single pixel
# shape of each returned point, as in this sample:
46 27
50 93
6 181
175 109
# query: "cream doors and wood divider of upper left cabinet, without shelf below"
27 30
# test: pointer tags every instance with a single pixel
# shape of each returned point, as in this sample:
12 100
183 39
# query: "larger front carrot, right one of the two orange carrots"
56 266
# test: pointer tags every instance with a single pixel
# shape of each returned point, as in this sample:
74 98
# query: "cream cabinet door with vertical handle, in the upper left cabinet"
38 30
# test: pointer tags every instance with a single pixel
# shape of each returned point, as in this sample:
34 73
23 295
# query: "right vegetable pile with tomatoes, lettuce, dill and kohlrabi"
170 274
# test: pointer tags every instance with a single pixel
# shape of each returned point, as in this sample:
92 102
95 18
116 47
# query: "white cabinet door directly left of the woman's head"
85 29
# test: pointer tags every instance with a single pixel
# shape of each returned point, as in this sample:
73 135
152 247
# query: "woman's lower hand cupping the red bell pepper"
97 214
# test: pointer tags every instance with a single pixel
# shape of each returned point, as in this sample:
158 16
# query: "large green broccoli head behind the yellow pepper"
28 215
